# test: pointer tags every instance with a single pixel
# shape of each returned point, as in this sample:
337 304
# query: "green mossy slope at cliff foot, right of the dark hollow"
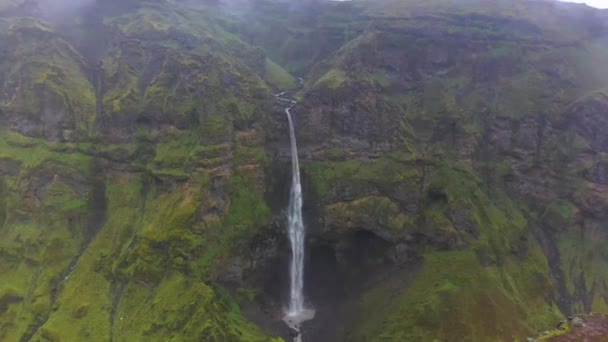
455 297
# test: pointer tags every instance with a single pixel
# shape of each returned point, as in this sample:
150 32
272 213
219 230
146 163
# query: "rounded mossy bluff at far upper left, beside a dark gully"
45 74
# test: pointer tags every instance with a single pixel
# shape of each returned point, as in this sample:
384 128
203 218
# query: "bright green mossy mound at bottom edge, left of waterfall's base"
191 311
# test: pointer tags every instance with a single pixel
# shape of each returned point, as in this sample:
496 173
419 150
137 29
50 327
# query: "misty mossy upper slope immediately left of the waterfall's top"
178 69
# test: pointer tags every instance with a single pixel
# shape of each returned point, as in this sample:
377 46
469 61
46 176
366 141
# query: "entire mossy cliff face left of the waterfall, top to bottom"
131 165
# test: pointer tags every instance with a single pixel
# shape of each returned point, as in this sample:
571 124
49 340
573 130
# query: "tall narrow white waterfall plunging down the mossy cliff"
295 230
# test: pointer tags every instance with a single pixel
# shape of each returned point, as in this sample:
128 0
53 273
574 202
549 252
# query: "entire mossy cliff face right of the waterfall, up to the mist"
466 138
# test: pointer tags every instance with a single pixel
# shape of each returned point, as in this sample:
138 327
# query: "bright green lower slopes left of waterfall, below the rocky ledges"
149 231
